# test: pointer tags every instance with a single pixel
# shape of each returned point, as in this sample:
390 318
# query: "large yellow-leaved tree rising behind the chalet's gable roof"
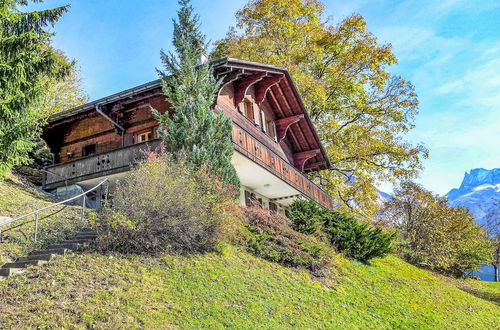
361 111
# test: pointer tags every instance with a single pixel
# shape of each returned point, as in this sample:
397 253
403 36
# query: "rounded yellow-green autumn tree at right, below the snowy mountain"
434 234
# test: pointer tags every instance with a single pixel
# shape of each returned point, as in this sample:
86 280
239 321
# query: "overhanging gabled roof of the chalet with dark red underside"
224 68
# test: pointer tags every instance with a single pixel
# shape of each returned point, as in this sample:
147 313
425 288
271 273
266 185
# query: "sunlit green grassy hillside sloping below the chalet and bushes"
235 289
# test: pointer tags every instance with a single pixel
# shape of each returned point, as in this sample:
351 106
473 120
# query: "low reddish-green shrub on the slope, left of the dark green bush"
271 237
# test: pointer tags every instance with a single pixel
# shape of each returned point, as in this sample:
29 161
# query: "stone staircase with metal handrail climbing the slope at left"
38 257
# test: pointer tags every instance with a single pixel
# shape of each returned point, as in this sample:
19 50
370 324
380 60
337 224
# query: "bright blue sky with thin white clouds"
449 49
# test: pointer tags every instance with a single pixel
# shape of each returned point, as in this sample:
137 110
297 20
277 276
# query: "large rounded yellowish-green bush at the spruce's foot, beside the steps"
165 206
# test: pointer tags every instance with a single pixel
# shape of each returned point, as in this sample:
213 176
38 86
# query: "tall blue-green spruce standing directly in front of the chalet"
194 130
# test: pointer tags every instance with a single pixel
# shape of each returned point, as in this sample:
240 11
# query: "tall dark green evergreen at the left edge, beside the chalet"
27 61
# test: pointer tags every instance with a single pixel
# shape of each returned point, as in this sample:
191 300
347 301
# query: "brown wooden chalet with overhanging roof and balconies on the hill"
274 140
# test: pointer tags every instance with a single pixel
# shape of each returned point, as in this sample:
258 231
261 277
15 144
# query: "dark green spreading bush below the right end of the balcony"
354 239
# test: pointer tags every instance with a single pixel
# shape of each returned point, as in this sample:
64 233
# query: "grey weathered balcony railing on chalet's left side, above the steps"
102 164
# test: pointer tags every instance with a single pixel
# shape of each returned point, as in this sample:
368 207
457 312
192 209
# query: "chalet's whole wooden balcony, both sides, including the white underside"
263 167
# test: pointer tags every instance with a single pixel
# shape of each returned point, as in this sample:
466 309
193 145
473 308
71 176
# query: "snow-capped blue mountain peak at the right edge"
479 192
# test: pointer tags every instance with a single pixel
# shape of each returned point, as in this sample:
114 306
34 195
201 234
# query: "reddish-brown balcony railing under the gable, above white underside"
245 143
